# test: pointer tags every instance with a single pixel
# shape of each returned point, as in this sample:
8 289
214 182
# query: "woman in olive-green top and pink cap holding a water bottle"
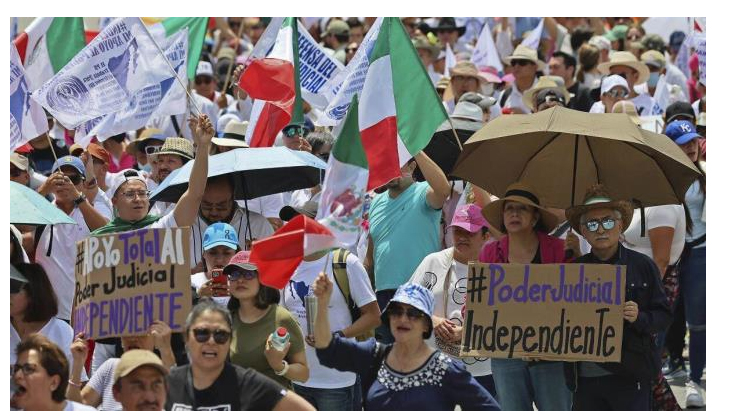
256 315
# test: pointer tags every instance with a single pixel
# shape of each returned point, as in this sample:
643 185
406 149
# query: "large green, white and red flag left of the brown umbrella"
399 109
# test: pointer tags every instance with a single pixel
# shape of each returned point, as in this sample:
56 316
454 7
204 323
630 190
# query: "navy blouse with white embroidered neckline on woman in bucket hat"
440 383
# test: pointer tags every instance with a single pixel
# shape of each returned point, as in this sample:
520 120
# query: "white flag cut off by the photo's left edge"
27 118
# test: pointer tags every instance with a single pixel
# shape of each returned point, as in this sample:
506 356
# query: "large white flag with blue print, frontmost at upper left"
105 75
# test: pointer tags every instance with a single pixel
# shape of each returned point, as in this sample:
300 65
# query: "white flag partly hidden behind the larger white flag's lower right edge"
157 99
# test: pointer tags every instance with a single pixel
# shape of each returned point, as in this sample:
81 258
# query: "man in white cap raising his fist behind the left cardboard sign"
130 196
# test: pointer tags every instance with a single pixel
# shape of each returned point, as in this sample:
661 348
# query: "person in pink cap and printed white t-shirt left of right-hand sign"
445 274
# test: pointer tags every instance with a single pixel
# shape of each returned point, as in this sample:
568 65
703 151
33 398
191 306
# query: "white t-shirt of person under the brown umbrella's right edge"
671 215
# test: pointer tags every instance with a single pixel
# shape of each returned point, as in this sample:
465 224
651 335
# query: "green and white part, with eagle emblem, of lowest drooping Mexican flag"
342 199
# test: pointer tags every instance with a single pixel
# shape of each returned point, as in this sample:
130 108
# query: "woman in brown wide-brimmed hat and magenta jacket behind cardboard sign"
520 215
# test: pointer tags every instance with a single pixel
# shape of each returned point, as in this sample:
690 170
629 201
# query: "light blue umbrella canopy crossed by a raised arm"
256 172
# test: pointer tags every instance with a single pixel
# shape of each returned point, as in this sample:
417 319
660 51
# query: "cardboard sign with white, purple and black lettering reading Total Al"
125 281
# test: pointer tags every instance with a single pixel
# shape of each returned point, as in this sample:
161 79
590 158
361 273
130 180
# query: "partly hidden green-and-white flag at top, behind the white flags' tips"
166 28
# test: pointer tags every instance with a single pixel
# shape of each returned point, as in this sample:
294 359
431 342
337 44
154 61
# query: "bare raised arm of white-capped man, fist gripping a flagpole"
185 211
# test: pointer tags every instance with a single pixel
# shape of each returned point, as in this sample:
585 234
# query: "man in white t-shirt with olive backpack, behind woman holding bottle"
329 389
